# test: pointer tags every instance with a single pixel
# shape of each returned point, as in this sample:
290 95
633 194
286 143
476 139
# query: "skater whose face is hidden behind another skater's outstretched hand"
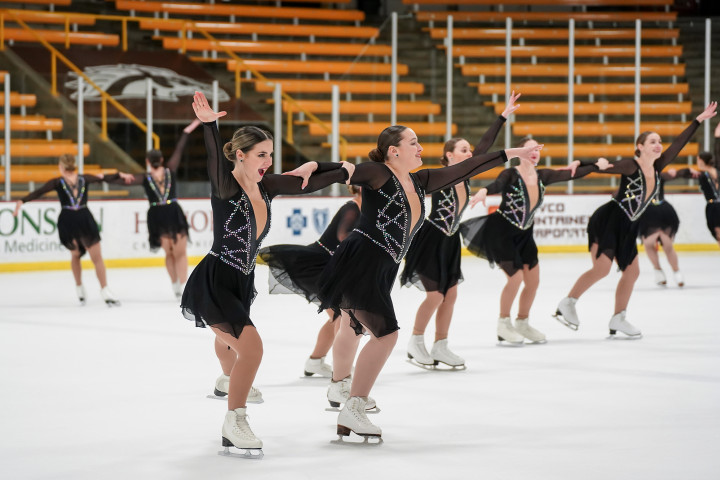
505 237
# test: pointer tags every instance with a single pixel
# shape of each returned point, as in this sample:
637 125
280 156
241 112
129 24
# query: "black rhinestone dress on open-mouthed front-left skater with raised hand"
221 288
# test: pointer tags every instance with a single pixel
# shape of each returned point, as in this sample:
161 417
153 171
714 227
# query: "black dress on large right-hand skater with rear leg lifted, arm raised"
614 226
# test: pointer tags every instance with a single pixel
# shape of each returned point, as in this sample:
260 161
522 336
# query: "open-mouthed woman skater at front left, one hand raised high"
220 289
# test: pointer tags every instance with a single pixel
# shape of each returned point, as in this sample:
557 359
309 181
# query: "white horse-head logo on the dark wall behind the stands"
124 81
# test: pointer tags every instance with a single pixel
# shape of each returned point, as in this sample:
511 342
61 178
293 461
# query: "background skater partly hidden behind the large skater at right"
658 226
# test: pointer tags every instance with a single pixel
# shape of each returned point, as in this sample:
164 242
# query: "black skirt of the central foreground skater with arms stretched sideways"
358 279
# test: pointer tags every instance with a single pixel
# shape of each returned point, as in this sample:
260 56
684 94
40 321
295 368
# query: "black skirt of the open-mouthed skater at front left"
219 295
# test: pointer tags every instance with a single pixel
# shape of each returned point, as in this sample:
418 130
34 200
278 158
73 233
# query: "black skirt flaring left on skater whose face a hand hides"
501 243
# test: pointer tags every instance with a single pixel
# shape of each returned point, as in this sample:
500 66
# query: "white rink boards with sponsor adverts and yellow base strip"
30 240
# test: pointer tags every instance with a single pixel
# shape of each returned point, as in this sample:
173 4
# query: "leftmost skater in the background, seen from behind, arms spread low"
76 226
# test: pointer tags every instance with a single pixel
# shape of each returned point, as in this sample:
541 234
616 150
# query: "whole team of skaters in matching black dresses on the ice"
350 270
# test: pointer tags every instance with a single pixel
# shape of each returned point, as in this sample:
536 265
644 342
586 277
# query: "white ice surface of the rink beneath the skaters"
98 393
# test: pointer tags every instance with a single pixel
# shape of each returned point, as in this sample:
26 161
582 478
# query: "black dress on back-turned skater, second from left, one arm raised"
165 218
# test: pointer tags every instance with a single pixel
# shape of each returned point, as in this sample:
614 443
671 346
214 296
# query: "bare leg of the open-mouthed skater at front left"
249 350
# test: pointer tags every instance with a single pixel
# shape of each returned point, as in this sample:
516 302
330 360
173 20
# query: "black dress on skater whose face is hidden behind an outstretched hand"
505 237
